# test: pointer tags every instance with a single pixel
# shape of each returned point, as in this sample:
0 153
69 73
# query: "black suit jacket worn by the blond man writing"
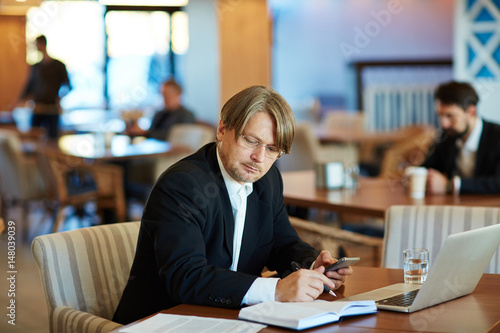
185 243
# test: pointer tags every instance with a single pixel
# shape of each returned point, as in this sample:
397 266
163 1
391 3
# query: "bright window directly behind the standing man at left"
74 32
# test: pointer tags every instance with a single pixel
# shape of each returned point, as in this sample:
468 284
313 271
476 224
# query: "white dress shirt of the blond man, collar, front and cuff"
262 289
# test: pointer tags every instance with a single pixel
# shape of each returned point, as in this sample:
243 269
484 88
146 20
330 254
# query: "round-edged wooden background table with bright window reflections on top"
89 152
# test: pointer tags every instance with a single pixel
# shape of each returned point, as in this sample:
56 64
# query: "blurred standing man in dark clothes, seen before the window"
46 79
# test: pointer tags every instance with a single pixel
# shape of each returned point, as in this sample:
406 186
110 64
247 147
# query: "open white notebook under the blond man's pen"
302 315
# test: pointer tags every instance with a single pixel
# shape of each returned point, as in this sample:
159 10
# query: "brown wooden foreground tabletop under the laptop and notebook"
476 312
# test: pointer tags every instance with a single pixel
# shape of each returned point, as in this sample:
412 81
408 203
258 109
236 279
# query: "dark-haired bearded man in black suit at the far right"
466 155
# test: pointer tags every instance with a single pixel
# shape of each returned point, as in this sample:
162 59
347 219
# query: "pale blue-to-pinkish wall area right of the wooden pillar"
312 39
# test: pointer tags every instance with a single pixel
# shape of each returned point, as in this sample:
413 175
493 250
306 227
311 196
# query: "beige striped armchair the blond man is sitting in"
84 272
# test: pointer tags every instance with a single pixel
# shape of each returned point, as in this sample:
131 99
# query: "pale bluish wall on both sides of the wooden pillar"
311 44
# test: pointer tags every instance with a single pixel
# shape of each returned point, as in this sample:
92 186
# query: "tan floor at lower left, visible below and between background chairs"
30 307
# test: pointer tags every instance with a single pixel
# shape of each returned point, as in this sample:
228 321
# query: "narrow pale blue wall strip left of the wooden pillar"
202 79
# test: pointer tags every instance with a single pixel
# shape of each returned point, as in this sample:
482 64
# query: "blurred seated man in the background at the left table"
172 113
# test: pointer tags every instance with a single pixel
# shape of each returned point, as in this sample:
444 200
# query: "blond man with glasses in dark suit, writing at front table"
215 219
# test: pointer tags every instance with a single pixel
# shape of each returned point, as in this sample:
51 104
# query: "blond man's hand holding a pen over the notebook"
302 286
